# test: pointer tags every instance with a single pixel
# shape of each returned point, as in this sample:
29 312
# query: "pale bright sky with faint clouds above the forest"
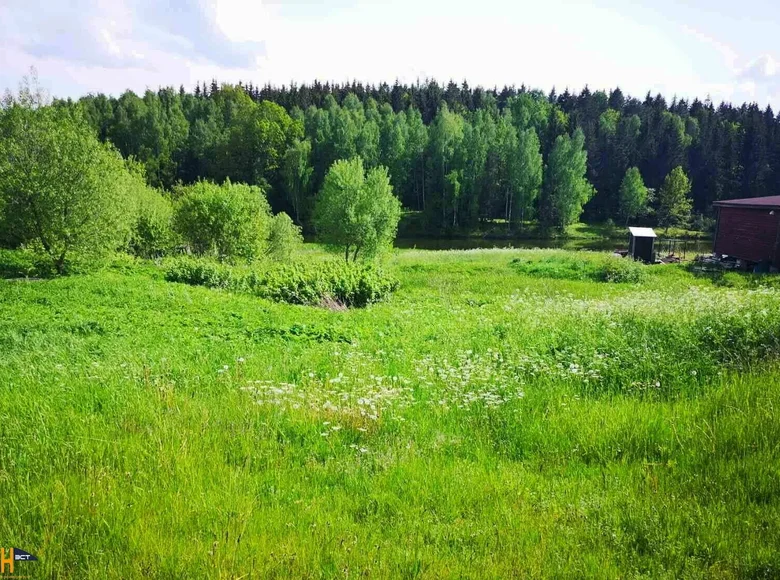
724 50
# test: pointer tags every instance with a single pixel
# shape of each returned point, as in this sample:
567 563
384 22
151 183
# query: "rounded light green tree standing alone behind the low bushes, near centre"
357 211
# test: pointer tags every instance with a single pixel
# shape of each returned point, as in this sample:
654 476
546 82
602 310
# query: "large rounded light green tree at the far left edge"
64 192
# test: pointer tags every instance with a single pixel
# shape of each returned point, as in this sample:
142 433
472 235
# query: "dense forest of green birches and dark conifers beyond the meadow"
459 155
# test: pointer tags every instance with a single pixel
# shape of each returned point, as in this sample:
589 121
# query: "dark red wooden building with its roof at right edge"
749 229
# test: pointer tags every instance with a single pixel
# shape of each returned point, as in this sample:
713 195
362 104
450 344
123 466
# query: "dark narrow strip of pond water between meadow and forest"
599 244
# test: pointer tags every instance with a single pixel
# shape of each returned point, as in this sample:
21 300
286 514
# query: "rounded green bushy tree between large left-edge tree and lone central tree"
225 221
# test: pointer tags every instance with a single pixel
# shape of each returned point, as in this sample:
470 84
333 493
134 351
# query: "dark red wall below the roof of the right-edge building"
748 233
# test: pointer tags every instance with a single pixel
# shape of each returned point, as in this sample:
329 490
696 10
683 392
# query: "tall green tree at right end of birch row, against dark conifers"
565 188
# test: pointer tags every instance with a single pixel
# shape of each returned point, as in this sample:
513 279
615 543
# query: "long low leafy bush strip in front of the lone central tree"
348 284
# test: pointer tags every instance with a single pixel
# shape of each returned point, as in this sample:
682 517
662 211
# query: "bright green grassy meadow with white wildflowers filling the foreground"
506 413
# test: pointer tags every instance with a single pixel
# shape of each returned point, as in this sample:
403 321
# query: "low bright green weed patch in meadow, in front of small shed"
581 266
